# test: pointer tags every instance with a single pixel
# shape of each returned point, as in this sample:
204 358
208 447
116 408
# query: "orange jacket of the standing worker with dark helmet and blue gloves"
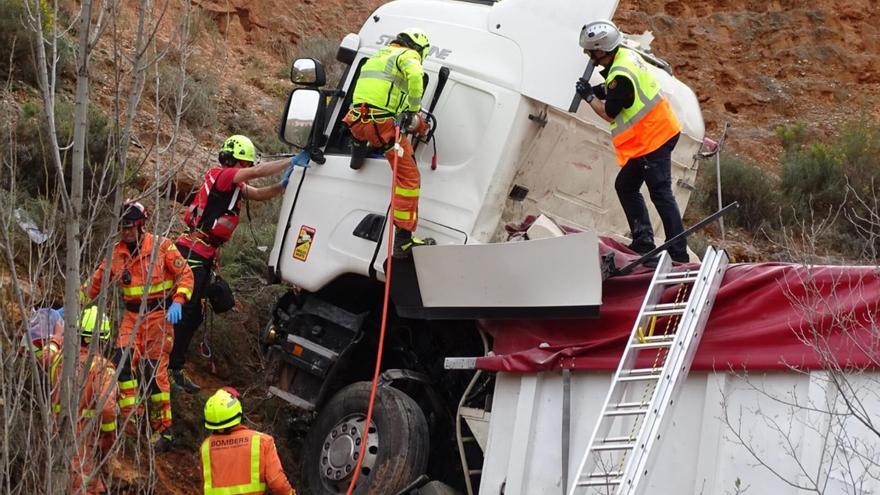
170 275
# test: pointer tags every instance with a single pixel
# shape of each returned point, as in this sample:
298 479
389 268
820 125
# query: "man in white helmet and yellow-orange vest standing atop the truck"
644 131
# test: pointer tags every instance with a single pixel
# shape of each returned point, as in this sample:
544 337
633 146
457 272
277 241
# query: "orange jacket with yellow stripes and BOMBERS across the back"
242 462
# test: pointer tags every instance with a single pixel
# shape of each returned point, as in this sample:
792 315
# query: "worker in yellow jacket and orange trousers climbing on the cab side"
390 89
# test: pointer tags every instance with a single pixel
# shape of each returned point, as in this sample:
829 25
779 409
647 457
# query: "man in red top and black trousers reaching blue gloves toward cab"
211 219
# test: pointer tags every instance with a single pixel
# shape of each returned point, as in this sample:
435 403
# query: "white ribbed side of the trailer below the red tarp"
699 453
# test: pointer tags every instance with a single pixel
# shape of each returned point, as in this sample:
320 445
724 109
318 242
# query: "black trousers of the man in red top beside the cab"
193 310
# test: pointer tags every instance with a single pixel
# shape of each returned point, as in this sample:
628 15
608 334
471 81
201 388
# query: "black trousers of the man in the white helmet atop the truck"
654 170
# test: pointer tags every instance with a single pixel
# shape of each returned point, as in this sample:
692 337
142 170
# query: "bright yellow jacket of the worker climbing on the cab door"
391 80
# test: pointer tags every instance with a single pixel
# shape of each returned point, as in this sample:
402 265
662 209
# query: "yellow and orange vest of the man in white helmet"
650 121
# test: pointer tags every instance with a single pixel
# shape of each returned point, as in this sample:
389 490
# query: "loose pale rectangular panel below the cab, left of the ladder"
560 271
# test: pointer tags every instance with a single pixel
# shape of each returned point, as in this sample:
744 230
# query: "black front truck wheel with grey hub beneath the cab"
397 445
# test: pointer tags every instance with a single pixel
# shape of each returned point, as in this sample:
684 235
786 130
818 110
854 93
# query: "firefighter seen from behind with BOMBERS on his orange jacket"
236 459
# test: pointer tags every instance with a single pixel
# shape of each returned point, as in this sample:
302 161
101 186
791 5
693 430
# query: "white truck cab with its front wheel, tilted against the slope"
499 79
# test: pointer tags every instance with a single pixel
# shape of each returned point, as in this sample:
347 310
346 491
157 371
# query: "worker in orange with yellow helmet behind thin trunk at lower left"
96 426
